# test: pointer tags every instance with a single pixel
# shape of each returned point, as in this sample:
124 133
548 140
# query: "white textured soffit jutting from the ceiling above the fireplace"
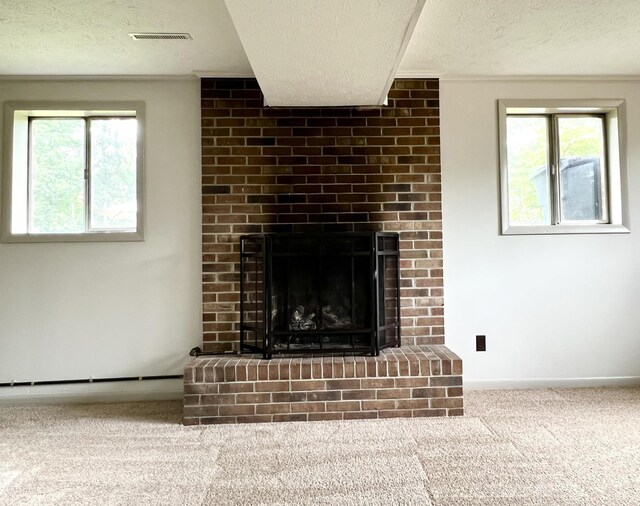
325 53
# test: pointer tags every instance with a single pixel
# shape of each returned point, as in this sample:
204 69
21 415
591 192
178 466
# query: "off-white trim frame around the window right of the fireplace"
615 118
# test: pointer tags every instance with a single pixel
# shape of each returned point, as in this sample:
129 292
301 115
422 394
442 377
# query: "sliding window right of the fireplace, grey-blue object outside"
562 166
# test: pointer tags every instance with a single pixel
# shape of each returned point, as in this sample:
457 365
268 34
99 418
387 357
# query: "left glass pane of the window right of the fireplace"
528 170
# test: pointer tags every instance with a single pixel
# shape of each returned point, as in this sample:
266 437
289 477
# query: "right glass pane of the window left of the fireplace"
113 174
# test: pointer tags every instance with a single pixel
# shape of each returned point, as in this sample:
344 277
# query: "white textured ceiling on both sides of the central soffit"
452 37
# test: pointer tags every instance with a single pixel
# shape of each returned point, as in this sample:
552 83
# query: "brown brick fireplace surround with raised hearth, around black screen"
310 170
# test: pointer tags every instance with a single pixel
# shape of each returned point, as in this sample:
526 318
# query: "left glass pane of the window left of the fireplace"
57 193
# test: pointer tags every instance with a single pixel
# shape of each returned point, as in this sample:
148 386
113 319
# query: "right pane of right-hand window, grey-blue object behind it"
582 168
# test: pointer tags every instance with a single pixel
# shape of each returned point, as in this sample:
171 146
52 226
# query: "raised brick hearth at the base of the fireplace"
410 381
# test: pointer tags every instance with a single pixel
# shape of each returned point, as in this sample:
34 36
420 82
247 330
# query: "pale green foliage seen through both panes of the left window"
58 191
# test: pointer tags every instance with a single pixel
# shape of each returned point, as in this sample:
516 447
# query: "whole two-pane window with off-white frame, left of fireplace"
72 172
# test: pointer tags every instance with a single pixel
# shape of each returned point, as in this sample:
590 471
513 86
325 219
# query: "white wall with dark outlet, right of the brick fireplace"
555 310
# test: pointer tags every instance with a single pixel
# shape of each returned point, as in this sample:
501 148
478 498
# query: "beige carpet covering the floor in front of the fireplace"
529 447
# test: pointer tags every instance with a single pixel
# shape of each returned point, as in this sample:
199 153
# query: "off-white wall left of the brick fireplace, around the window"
72 311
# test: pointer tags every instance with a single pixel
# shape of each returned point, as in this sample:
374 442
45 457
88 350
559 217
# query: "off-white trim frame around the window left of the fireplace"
16 115
